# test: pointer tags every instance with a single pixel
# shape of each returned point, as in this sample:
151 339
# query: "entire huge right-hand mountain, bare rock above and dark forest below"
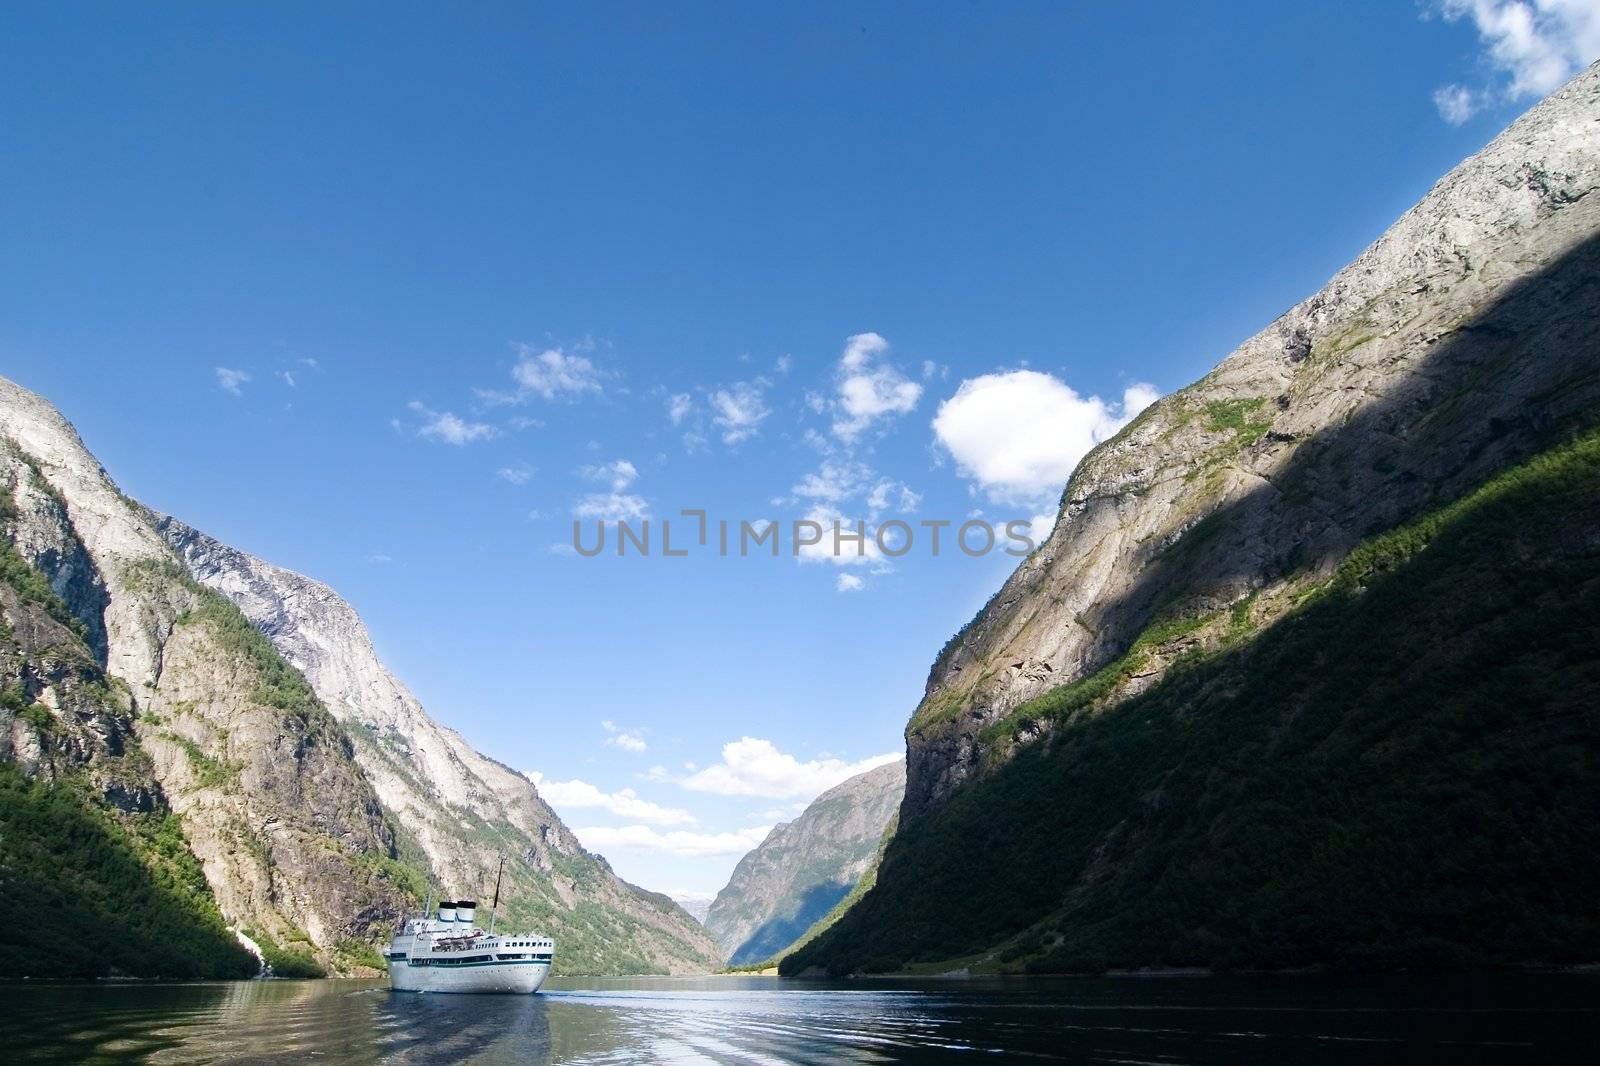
1306 673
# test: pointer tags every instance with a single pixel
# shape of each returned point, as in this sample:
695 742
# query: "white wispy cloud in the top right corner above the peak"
1534 44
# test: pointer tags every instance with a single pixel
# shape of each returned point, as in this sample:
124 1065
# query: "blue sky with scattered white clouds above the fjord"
388 294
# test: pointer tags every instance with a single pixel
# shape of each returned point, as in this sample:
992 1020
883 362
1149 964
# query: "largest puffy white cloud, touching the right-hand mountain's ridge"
1020 435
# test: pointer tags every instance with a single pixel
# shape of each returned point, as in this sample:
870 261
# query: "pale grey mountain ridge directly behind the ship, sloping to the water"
457 808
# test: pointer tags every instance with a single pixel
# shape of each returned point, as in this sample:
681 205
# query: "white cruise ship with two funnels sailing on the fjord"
452 955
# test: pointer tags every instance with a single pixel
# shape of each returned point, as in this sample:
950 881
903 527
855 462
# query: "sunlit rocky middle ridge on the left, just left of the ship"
270 799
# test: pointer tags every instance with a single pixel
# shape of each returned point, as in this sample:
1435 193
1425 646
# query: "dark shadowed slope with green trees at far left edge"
87 836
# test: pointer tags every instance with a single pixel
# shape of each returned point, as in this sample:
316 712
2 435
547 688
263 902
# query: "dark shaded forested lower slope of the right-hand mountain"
1402 772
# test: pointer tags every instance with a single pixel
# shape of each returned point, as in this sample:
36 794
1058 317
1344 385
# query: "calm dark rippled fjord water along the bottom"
762 1020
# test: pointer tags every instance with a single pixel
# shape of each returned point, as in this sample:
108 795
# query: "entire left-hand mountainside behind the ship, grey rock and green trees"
206 711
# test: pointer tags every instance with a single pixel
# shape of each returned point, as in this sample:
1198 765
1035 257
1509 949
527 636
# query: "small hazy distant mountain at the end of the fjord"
806 867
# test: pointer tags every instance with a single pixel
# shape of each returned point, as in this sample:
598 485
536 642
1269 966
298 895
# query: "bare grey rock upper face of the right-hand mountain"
1343 417
